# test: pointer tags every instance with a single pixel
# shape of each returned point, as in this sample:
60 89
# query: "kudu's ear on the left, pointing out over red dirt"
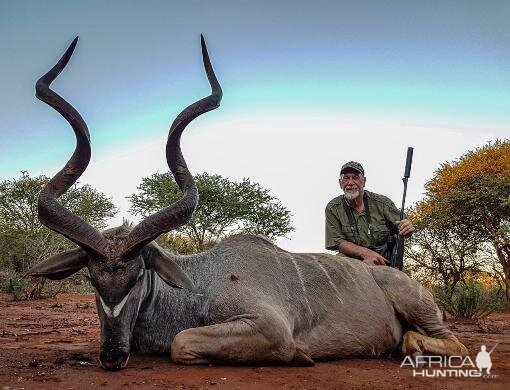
61 265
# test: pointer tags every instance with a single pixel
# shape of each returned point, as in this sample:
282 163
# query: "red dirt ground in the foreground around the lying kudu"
53 344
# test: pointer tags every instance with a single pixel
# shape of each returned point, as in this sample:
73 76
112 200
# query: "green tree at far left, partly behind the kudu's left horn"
24 241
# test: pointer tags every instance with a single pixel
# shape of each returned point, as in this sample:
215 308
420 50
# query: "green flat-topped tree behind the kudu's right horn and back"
224 208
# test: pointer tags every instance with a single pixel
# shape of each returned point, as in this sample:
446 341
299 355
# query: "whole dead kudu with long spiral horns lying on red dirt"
244 300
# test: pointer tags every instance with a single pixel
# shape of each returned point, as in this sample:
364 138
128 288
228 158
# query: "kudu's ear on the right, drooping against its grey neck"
165 267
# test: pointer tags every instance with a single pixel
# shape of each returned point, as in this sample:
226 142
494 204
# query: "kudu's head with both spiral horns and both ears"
117 259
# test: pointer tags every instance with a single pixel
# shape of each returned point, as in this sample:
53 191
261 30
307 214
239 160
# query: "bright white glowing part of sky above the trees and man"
296 157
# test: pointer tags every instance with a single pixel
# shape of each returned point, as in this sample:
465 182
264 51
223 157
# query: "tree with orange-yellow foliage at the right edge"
472 195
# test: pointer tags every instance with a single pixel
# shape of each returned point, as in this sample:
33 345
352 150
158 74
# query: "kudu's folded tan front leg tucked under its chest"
237 341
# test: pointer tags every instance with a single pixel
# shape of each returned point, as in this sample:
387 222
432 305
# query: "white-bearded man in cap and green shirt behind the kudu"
361 224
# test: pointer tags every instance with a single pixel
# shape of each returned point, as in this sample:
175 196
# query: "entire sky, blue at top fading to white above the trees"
307 86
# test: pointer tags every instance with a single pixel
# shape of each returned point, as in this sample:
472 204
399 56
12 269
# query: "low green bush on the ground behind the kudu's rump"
469 299
